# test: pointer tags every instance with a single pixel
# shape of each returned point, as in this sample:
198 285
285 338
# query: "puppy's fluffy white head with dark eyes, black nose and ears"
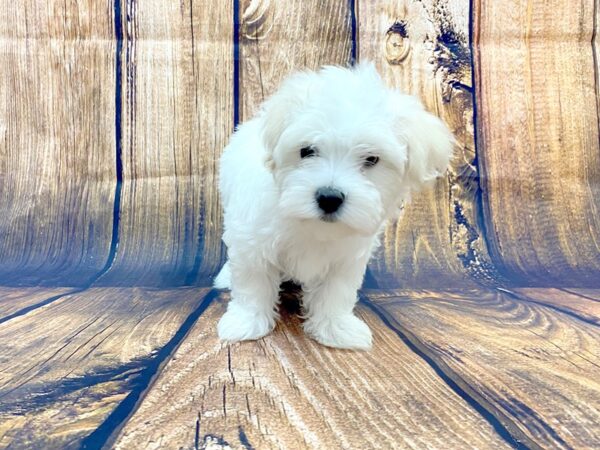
346 151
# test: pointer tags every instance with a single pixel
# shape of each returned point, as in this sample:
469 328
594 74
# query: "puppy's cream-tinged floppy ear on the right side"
429 142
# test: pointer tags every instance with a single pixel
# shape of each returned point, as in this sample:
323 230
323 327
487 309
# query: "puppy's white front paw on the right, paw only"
346 331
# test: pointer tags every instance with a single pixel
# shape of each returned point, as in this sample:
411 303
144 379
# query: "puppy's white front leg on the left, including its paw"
251 312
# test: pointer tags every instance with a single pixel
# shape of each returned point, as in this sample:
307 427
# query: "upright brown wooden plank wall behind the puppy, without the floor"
108 175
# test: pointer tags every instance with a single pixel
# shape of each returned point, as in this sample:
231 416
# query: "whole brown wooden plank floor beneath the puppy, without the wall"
143 368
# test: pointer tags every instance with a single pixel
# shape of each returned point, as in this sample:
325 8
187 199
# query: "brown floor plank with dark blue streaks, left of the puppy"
66 366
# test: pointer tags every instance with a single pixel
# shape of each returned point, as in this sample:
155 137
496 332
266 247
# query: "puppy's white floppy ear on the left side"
278 111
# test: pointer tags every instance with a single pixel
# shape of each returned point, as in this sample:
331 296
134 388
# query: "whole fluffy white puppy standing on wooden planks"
307 187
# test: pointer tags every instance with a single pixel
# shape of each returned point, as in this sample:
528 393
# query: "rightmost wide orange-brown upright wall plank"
538 124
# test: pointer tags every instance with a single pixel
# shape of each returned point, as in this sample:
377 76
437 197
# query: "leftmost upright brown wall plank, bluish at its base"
57 141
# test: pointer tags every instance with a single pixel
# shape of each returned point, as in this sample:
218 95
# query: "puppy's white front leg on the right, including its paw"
329 310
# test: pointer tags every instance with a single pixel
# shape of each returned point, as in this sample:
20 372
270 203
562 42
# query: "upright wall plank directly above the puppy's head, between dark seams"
277 38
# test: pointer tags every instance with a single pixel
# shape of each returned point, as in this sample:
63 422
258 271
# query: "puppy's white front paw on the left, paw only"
241 323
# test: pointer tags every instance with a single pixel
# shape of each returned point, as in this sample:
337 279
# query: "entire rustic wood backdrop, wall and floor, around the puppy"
482 299
